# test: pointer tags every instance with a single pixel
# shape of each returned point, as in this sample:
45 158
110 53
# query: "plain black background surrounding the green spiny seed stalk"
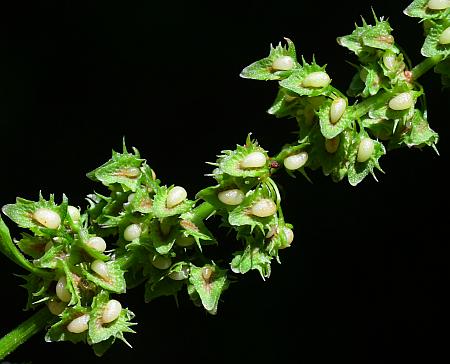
366 279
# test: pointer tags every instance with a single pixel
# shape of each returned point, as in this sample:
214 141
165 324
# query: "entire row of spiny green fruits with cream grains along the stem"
159 232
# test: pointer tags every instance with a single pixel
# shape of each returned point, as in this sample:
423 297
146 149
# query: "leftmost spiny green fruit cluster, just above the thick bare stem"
75 271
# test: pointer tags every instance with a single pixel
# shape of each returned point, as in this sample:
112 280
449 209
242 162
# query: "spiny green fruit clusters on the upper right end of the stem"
343 139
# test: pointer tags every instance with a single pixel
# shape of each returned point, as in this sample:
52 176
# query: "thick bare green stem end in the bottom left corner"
24 331
